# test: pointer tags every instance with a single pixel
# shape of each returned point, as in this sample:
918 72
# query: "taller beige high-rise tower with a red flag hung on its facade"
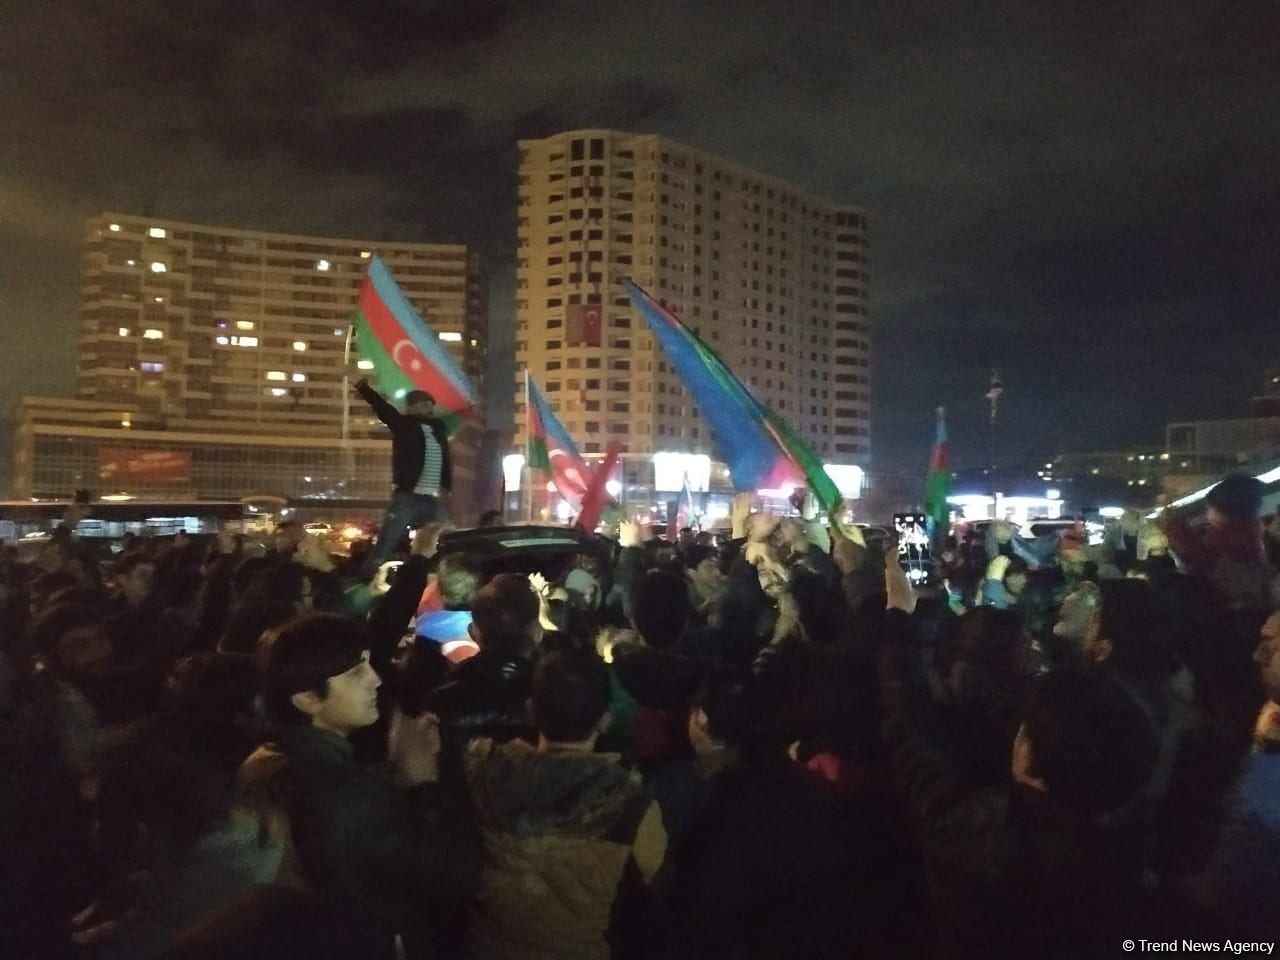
775 281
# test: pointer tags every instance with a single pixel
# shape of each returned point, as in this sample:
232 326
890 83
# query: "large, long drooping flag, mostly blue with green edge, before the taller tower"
761 449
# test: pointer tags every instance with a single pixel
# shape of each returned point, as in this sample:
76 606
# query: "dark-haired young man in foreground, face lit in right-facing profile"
381 856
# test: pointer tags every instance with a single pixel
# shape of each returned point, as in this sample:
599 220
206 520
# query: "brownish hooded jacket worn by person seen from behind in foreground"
568 838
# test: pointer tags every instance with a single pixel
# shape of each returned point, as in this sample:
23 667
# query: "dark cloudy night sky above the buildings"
1087 199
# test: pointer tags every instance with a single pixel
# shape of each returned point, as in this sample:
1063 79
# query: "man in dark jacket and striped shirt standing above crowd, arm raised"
422 470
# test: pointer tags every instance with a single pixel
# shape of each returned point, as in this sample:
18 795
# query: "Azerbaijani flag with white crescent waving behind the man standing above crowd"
405 353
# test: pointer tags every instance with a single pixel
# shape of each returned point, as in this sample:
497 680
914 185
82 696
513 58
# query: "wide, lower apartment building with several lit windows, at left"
230 346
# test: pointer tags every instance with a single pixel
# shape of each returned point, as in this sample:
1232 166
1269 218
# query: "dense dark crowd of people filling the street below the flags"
761 746
